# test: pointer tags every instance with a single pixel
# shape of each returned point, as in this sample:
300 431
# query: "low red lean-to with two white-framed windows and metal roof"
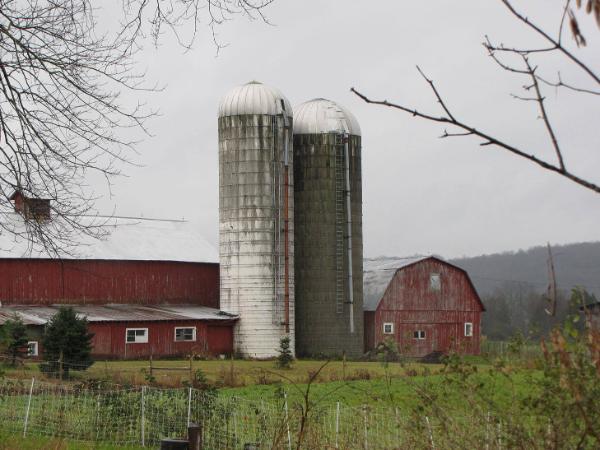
133 331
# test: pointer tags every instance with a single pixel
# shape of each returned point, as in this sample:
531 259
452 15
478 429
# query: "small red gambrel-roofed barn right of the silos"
427 305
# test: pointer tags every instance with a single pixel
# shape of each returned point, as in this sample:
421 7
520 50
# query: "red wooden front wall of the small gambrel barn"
412 305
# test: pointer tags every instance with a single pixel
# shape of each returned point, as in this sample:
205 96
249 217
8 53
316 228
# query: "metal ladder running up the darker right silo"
340 183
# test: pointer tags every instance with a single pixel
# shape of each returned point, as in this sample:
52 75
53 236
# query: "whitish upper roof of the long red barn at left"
126 239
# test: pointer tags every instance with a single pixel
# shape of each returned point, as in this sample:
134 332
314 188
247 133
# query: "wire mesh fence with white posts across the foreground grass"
145 415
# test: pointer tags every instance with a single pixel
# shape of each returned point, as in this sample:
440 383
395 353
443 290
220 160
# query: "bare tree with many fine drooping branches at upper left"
62 75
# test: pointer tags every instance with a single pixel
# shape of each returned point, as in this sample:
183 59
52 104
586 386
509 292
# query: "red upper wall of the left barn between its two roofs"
46 281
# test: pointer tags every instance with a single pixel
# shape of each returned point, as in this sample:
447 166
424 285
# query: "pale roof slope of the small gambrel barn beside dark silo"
377 274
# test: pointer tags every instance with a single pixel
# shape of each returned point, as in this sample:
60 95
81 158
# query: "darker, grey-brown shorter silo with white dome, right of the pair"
328 230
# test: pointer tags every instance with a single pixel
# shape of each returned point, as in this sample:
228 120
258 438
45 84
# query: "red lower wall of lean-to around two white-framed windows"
109 339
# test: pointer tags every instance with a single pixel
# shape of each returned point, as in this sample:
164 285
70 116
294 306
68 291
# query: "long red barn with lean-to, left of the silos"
149 287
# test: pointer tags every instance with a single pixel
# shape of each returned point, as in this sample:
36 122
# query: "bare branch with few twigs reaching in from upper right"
523 62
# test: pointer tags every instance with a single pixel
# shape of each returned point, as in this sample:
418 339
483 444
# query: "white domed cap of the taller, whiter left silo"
254 98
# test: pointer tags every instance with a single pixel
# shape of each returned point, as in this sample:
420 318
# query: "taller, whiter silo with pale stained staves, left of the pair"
256 243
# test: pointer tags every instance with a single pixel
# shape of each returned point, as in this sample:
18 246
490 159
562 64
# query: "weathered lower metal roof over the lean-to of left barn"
40 315
